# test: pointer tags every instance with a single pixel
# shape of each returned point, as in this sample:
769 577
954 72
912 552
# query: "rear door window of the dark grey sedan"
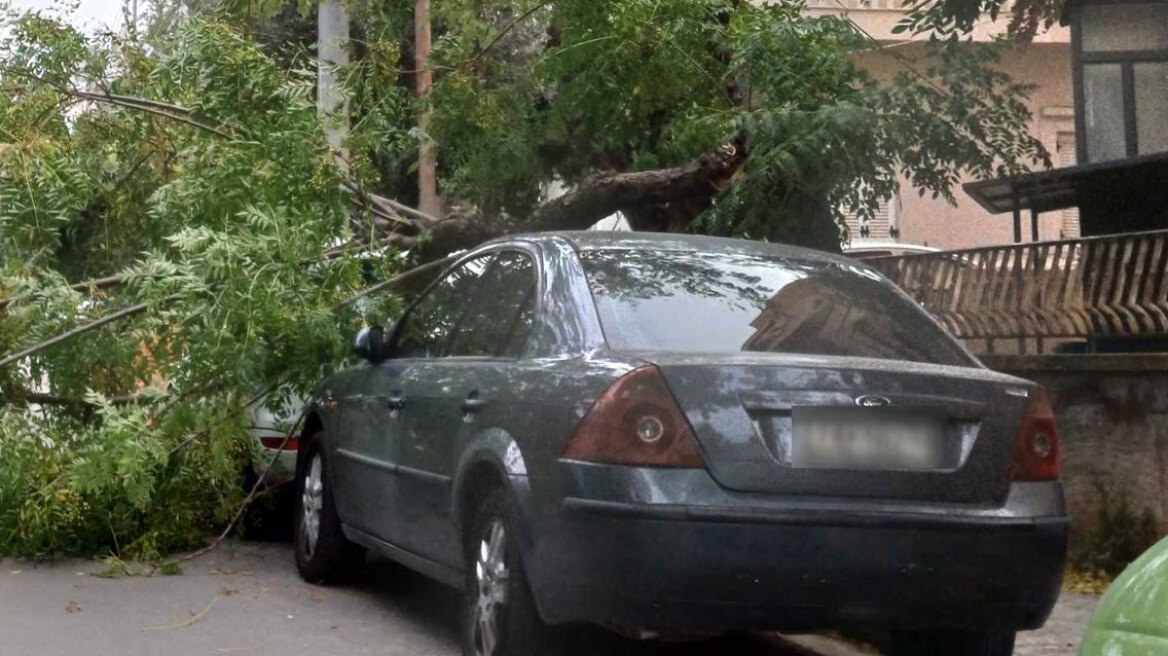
500 316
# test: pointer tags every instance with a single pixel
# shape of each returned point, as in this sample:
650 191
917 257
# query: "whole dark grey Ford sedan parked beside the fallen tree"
676 436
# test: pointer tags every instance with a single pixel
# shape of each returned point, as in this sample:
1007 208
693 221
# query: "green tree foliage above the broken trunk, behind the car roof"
603 86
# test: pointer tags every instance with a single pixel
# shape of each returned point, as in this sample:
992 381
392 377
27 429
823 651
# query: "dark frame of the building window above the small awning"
1127 61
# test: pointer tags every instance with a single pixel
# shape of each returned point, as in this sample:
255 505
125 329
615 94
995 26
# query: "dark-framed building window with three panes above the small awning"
1123 79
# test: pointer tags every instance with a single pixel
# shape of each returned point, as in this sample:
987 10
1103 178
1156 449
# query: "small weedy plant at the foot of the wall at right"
1120 536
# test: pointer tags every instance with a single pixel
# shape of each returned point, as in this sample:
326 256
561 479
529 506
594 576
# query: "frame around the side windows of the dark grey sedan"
492 254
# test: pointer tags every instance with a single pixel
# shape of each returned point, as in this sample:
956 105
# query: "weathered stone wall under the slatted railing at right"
1113 414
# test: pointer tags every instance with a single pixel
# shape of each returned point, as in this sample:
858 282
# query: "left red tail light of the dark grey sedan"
636 422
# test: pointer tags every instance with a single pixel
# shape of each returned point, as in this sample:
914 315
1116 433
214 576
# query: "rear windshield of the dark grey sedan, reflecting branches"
719 303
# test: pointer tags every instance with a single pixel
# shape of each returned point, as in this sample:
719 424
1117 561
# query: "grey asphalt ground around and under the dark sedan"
246 599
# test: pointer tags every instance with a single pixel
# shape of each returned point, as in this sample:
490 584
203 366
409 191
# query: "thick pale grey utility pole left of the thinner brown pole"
333 53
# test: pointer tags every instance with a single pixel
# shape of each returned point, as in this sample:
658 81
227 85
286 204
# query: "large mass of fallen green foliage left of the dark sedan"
223 235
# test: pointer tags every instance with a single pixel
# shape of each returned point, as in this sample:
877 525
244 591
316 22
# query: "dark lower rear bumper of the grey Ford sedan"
697 569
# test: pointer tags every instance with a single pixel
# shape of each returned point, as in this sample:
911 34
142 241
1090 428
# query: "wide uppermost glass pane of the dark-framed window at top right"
1125 27
